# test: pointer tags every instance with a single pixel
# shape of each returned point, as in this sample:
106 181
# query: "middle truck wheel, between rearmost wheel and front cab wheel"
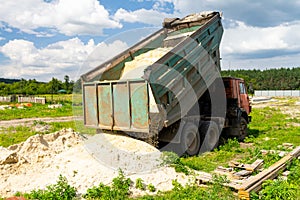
210 134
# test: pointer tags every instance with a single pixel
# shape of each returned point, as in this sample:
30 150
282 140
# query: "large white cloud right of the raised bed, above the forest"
271 47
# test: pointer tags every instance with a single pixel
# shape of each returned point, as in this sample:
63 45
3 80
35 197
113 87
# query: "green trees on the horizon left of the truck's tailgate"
34 87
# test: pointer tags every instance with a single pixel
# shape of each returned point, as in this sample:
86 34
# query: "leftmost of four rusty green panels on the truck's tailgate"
90 105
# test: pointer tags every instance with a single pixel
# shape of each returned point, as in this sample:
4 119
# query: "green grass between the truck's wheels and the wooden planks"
268 130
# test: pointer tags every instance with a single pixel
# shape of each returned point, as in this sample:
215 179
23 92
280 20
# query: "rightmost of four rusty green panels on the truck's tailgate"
139 105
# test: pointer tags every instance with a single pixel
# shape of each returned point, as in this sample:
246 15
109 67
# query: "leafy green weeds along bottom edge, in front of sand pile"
120 190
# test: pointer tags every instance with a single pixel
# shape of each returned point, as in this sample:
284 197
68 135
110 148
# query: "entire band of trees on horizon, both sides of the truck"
271 79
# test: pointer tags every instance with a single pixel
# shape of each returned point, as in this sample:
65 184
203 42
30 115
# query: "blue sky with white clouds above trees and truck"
42 39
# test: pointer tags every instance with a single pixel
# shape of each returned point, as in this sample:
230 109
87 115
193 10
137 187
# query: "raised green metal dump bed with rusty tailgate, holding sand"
139 95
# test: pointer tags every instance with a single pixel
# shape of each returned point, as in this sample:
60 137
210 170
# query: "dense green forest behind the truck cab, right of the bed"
271 79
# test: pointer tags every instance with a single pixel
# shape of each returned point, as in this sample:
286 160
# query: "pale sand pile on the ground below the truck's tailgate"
85 162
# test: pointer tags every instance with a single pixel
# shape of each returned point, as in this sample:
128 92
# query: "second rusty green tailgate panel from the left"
105 105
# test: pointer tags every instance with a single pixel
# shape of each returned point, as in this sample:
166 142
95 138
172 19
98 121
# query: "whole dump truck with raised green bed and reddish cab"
167 88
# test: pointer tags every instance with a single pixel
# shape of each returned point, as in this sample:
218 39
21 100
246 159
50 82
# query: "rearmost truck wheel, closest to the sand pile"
190 139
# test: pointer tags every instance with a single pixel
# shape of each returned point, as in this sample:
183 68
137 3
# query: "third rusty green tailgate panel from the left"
121 105
